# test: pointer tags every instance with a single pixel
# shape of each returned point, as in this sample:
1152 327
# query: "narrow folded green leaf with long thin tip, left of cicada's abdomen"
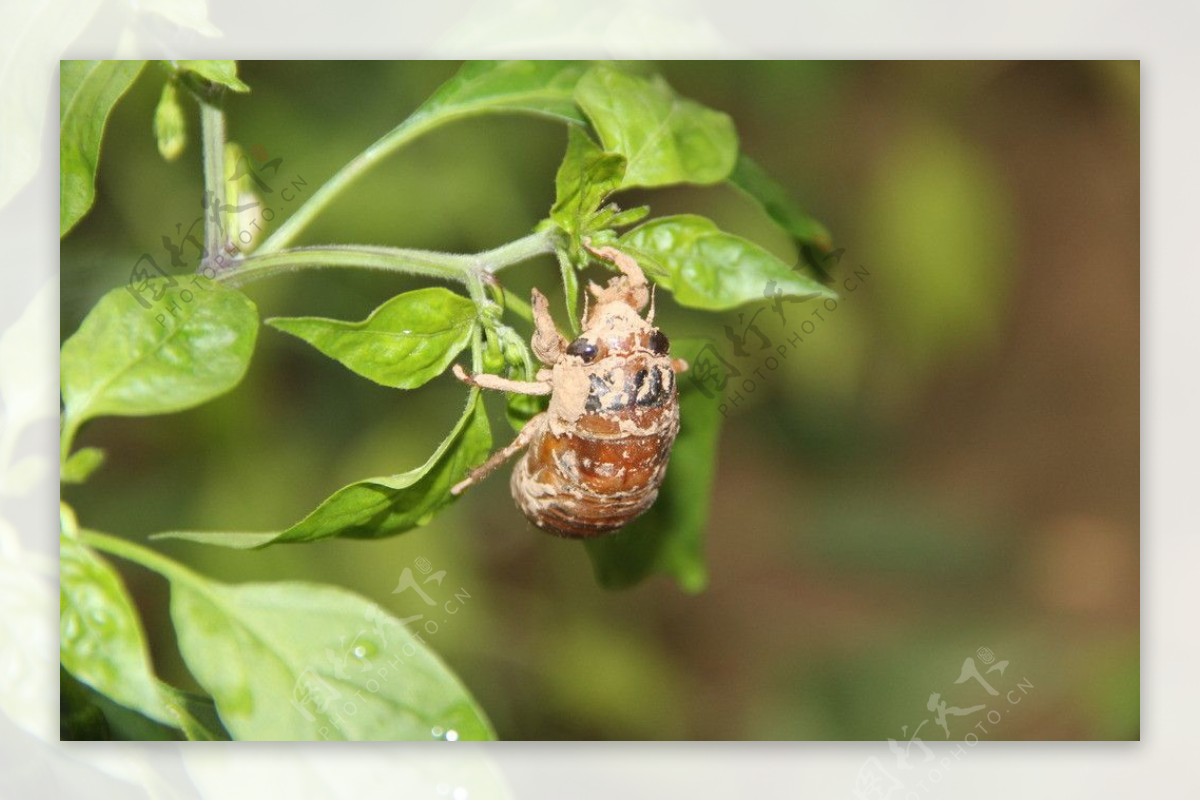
383 507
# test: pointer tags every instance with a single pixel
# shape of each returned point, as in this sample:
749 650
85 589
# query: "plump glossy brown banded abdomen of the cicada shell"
587 484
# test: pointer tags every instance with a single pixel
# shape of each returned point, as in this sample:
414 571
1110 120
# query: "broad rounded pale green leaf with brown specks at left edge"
128 360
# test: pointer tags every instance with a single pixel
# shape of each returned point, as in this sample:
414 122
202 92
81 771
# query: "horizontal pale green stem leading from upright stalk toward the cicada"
463 268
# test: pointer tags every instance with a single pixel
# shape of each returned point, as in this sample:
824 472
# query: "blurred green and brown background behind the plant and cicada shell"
949 462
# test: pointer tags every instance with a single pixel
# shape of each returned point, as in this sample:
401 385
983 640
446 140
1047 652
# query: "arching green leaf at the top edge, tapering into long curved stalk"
542 88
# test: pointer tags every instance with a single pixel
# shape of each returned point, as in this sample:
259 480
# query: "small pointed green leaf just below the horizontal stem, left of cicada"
406 342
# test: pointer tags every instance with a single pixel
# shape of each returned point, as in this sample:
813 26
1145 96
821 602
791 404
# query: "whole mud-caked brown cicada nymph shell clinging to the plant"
597 457
